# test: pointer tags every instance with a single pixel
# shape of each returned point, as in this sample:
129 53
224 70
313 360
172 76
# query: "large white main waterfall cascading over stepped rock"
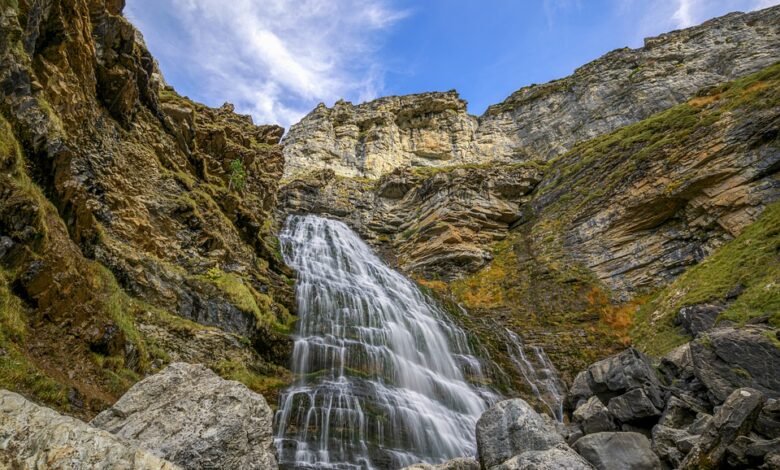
381 373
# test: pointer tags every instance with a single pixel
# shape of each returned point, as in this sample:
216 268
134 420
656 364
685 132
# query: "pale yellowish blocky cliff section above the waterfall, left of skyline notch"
374 138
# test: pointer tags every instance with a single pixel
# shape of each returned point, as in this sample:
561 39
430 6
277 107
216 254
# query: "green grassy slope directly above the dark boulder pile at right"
750 261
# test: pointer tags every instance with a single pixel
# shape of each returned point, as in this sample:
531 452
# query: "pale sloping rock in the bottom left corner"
35 437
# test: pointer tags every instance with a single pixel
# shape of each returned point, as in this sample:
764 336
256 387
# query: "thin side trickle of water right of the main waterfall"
541 377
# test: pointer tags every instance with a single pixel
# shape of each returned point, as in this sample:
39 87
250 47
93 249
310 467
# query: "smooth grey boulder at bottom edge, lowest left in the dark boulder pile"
618 451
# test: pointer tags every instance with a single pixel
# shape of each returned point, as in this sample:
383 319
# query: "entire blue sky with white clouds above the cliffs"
276 59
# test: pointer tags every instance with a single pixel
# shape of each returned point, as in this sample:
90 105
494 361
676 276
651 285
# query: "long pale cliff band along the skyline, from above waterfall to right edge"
537 122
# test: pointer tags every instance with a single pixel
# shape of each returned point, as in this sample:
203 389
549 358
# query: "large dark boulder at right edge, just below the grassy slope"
725 359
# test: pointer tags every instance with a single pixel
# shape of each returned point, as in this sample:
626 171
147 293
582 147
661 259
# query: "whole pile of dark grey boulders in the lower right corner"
697 419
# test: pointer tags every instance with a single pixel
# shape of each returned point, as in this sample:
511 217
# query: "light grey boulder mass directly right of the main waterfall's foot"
512 436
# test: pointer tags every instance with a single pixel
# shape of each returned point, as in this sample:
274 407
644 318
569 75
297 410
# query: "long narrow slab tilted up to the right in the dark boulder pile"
733 419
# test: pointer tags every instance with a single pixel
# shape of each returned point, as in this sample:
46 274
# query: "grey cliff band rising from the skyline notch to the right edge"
628 85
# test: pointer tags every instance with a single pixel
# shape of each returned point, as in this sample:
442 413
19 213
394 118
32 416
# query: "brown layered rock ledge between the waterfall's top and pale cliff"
433 223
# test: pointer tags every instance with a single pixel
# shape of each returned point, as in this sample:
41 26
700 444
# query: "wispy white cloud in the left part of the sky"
275 59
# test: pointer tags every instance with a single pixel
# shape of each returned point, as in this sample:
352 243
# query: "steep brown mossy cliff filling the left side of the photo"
134 223
